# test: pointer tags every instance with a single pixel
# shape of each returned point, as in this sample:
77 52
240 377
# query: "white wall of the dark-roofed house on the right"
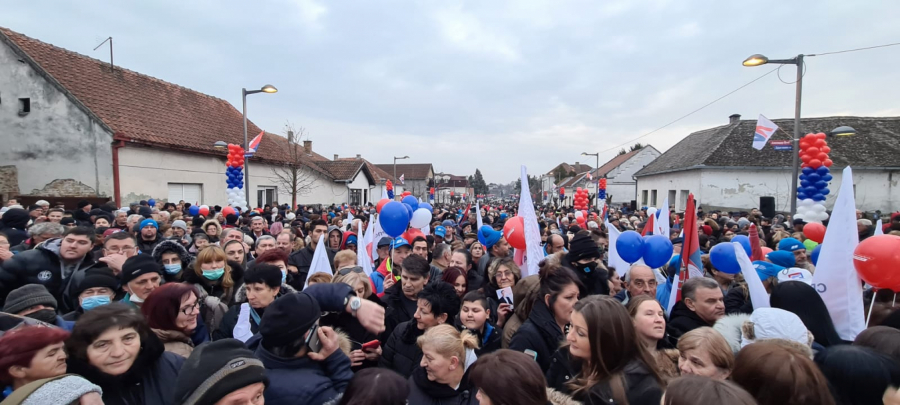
741 189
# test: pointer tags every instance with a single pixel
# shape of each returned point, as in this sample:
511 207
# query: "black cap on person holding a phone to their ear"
288 318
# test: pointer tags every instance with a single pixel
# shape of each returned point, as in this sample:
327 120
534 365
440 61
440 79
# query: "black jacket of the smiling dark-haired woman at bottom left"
149 381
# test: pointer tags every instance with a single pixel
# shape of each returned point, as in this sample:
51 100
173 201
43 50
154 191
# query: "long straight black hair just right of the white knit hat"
803 300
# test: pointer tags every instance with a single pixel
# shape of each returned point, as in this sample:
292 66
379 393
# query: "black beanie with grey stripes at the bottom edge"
216 369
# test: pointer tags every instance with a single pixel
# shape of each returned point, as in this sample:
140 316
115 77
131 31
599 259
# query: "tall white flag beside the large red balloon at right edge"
835 278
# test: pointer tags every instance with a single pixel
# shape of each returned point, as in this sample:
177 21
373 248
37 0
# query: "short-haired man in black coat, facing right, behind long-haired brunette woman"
702 304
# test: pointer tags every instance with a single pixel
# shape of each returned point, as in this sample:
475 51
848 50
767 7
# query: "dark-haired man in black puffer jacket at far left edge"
58 265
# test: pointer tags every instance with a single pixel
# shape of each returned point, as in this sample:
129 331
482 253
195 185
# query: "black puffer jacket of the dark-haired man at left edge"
42 265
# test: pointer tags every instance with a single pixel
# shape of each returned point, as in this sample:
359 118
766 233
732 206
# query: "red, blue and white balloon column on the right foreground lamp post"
814 178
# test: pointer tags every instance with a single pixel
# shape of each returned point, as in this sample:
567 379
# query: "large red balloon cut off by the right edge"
876 259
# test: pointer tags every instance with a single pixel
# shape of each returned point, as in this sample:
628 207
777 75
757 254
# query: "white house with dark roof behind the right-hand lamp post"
723 171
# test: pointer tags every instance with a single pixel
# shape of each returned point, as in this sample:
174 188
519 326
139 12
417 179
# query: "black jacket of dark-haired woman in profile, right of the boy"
540 333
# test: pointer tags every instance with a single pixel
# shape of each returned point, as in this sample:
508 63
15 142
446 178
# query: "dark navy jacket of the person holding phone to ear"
305 381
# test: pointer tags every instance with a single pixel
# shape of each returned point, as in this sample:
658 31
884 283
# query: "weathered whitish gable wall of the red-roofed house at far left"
56 140
